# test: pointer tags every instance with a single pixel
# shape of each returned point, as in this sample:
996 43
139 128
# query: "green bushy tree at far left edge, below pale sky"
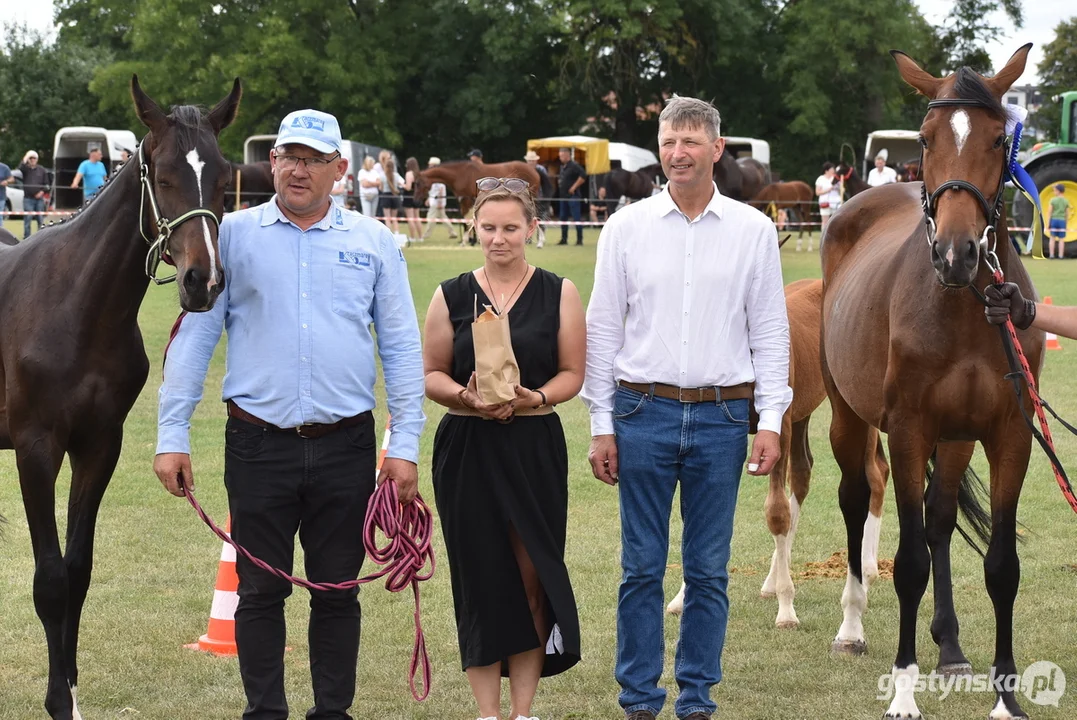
44 89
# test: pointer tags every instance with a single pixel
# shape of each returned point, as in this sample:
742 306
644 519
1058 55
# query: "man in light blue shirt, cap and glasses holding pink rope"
305 281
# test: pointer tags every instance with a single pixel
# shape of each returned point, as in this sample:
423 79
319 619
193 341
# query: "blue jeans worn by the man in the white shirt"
705 446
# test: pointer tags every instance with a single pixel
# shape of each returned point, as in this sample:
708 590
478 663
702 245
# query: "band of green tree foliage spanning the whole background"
441 77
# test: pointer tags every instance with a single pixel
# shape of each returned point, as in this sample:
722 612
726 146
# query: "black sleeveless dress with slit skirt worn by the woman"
492 477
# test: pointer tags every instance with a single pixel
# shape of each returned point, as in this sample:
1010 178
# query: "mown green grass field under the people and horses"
156 569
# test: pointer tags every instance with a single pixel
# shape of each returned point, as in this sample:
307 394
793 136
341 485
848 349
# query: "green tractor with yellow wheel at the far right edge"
1051 164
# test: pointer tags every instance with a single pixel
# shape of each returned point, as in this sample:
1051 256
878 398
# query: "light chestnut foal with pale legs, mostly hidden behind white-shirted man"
804 304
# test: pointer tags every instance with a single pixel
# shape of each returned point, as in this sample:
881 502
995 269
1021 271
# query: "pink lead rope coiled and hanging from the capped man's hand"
410 530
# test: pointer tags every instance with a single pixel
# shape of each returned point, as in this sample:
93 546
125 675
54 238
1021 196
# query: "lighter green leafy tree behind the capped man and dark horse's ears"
289 53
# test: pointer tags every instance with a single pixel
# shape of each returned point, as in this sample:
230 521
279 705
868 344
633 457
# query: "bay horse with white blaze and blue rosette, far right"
906 350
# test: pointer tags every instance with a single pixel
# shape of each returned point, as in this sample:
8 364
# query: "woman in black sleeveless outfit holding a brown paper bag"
501 472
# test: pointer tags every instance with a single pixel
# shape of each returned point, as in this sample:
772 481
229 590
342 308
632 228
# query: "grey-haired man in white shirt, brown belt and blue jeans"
688 313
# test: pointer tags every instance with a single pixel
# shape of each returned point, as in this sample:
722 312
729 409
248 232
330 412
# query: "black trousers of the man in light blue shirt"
278 485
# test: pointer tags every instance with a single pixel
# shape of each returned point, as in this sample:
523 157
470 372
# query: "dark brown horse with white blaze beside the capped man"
72 355
